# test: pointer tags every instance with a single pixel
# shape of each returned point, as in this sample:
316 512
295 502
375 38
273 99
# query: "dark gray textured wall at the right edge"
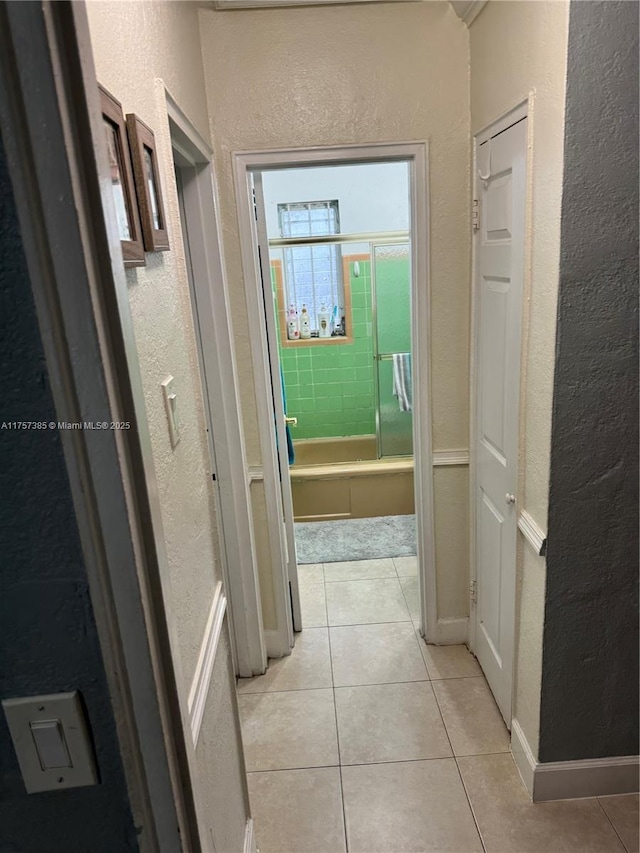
589 705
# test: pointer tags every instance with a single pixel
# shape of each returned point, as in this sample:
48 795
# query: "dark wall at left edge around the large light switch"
48 639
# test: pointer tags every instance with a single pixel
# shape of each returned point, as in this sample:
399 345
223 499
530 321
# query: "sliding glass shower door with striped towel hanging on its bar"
391 284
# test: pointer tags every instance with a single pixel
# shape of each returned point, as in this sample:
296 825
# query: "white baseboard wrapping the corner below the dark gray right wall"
569 780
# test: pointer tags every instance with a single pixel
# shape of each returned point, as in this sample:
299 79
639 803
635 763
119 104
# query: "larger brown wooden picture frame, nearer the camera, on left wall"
124 194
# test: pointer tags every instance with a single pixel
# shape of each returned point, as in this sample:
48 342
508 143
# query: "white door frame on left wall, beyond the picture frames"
216 356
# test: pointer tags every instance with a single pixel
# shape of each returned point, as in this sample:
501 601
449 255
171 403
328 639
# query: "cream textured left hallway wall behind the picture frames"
134 43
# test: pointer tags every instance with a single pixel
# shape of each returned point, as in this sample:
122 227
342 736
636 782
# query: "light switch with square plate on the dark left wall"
52 741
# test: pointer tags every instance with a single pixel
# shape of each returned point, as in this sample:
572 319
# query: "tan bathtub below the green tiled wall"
342 478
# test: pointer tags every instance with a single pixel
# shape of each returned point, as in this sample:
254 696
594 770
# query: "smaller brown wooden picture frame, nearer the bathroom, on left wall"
147 181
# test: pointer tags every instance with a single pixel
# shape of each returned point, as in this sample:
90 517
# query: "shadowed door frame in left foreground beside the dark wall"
51 112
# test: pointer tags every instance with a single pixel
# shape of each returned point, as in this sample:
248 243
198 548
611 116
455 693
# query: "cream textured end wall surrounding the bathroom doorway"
336 75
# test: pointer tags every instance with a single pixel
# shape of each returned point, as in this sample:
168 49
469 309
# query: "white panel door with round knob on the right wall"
499 280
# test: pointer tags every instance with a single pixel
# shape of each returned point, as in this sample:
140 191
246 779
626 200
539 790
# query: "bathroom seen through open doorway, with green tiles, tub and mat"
340 271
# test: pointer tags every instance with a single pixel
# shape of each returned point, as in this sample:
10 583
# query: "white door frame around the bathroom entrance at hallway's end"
416 154
